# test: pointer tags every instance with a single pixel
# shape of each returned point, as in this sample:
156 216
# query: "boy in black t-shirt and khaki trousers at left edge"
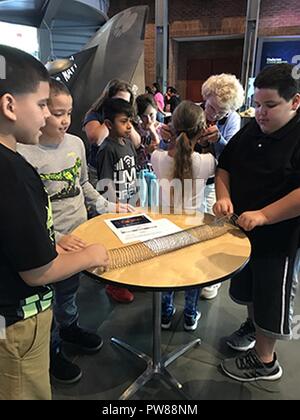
28 257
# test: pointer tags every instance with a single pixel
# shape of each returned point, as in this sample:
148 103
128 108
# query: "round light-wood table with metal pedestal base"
199 265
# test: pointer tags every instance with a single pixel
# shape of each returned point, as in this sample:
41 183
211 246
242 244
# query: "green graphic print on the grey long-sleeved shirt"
69 176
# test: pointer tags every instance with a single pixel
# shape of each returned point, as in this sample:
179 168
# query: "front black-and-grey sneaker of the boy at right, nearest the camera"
249 368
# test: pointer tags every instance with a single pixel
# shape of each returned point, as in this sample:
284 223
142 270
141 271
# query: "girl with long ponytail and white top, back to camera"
189 170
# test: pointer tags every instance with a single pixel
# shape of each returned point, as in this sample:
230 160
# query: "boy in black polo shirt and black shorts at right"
258 178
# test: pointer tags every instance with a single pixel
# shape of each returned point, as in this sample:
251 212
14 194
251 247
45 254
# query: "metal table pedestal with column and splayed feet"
156 365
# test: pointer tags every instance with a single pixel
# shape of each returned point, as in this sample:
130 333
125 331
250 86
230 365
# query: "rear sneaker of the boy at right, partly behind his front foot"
244 338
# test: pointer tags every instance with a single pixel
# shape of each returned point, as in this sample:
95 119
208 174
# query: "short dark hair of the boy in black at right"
279 77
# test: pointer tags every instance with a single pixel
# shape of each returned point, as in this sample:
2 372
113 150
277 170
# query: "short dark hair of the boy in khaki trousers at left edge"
22 72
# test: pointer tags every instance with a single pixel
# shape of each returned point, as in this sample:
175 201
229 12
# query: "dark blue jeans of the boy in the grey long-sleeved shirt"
65 311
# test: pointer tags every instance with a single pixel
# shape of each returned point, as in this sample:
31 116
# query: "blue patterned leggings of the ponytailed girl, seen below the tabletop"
191 297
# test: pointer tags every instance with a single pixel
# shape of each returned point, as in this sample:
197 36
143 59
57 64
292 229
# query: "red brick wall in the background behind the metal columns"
190 18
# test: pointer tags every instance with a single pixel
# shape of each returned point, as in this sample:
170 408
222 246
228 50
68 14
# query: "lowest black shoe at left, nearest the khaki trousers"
63 370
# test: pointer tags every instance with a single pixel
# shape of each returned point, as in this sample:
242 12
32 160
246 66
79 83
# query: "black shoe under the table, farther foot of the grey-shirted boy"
84 340
